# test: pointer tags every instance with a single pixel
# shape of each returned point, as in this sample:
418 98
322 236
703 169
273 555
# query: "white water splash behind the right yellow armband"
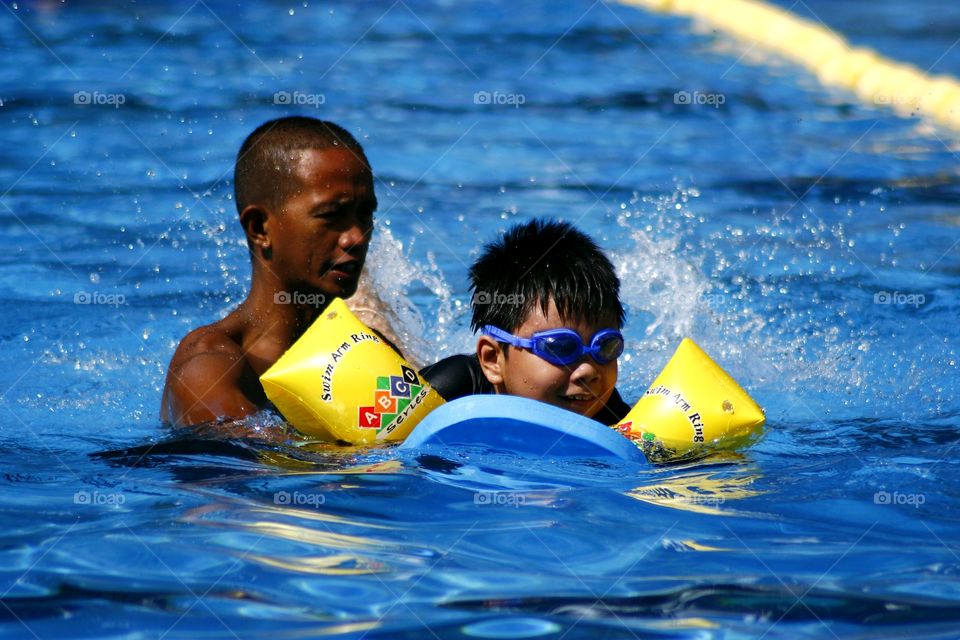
679 281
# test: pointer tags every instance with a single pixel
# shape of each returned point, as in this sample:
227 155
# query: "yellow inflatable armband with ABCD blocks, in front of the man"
341 381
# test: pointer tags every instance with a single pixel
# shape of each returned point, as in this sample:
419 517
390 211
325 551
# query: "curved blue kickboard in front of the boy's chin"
520 425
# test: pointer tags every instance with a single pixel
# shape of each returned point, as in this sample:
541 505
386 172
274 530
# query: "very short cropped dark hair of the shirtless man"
264 171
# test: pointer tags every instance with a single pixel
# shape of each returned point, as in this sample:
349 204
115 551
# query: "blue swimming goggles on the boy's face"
564 346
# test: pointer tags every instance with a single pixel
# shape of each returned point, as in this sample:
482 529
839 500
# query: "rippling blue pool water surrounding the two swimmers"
807 241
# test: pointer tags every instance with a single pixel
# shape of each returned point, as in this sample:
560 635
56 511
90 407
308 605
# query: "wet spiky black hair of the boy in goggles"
539 260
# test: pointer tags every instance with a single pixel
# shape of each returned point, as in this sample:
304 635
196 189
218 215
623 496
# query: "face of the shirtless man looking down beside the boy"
321 236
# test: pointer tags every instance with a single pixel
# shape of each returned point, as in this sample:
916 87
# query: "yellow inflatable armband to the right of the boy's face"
693 406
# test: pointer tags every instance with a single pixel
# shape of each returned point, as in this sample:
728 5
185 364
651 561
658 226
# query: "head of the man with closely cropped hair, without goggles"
304 192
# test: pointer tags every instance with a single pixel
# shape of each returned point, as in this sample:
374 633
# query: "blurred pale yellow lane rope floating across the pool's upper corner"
875 79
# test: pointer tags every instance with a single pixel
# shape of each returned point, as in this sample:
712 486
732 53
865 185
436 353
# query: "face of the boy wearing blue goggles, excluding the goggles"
582 387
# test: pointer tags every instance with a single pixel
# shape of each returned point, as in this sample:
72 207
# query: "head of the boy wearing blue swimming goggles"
542 276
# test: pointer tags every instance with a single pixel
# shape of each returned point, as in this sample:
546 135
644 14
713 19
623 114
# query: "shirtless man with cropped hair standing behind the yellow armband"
304 193
